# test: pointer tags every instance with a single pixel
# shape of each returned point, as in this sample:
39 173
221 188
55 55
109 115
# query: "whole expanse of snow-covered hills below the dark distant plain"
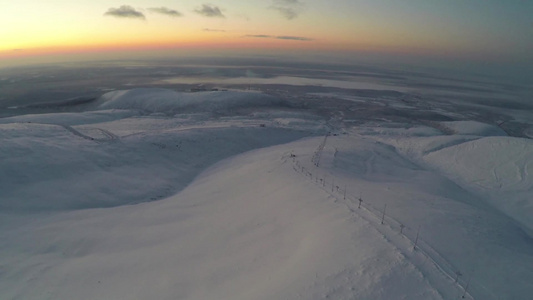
155 194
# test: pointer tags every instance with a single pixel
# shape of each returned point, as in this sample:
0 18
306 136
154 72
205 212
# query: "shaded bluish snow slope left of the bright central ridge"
49 166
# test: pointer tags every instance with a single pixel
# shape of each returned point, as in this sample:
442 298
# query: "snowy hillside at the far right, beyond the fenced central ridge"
495 169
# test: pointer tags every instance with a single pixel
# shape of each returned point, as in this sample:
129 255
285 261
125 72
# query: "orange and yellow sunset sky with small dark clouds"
481 30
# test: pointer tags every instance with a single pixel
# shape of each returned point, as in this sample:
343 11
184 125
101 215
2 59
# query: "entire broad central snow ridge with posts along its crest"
254 227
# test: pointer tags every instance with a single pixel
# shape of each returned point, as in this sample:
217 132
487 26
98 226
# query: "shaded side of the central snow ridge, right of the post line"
457 233
